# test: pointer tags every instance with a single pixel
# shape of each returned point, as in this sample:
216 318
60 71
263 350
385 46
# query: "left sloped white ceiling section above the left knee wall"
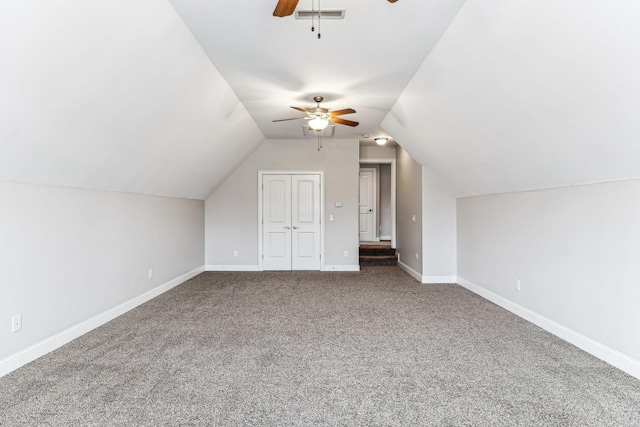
114 95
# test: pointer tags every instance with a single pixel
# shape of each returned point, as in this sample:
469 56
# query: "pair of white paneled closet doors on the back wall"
291 215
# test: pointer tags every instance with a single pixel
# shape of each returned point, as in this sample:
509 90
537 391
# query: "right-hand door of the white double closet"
305 222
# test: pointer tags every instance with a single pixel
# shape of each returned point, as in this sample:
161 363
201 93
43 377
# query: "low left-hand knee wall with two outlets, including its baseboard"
68 255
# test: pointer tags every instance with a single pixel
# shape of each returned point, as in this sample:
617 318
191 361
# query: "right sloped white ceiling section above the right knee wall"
520 95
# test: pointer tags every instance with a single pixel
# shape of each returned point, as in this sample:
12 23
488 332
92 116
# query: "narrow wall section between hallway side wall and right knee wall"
439 246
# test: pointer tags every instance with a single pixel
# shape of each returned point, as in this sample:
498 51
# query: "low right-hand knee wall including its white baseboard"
575 251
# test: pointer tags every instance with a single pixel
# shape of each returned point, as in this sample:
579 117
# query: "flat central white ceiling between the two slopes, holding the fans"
363 61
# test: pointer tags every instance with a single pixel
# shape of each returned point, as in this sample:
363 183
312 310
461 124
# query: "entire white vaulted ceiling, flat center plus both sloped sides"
168 97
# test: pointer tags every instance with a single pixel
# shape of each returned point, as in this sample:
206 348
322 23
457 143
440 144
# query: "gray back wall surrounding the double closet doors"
232 211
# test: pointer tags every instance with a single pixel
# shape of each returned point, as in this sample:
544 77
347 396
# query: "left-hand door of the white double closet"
276 217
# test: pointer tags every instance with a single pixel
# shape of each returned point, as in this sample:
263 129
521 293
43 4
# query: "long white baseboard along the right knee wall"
595 348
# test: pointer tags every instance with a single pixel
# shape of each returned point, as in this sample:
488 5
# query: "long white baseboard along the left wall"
29 354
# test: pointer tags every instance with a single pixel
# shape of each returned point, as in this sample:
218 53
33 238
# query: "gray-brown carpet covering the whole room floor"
373 348
